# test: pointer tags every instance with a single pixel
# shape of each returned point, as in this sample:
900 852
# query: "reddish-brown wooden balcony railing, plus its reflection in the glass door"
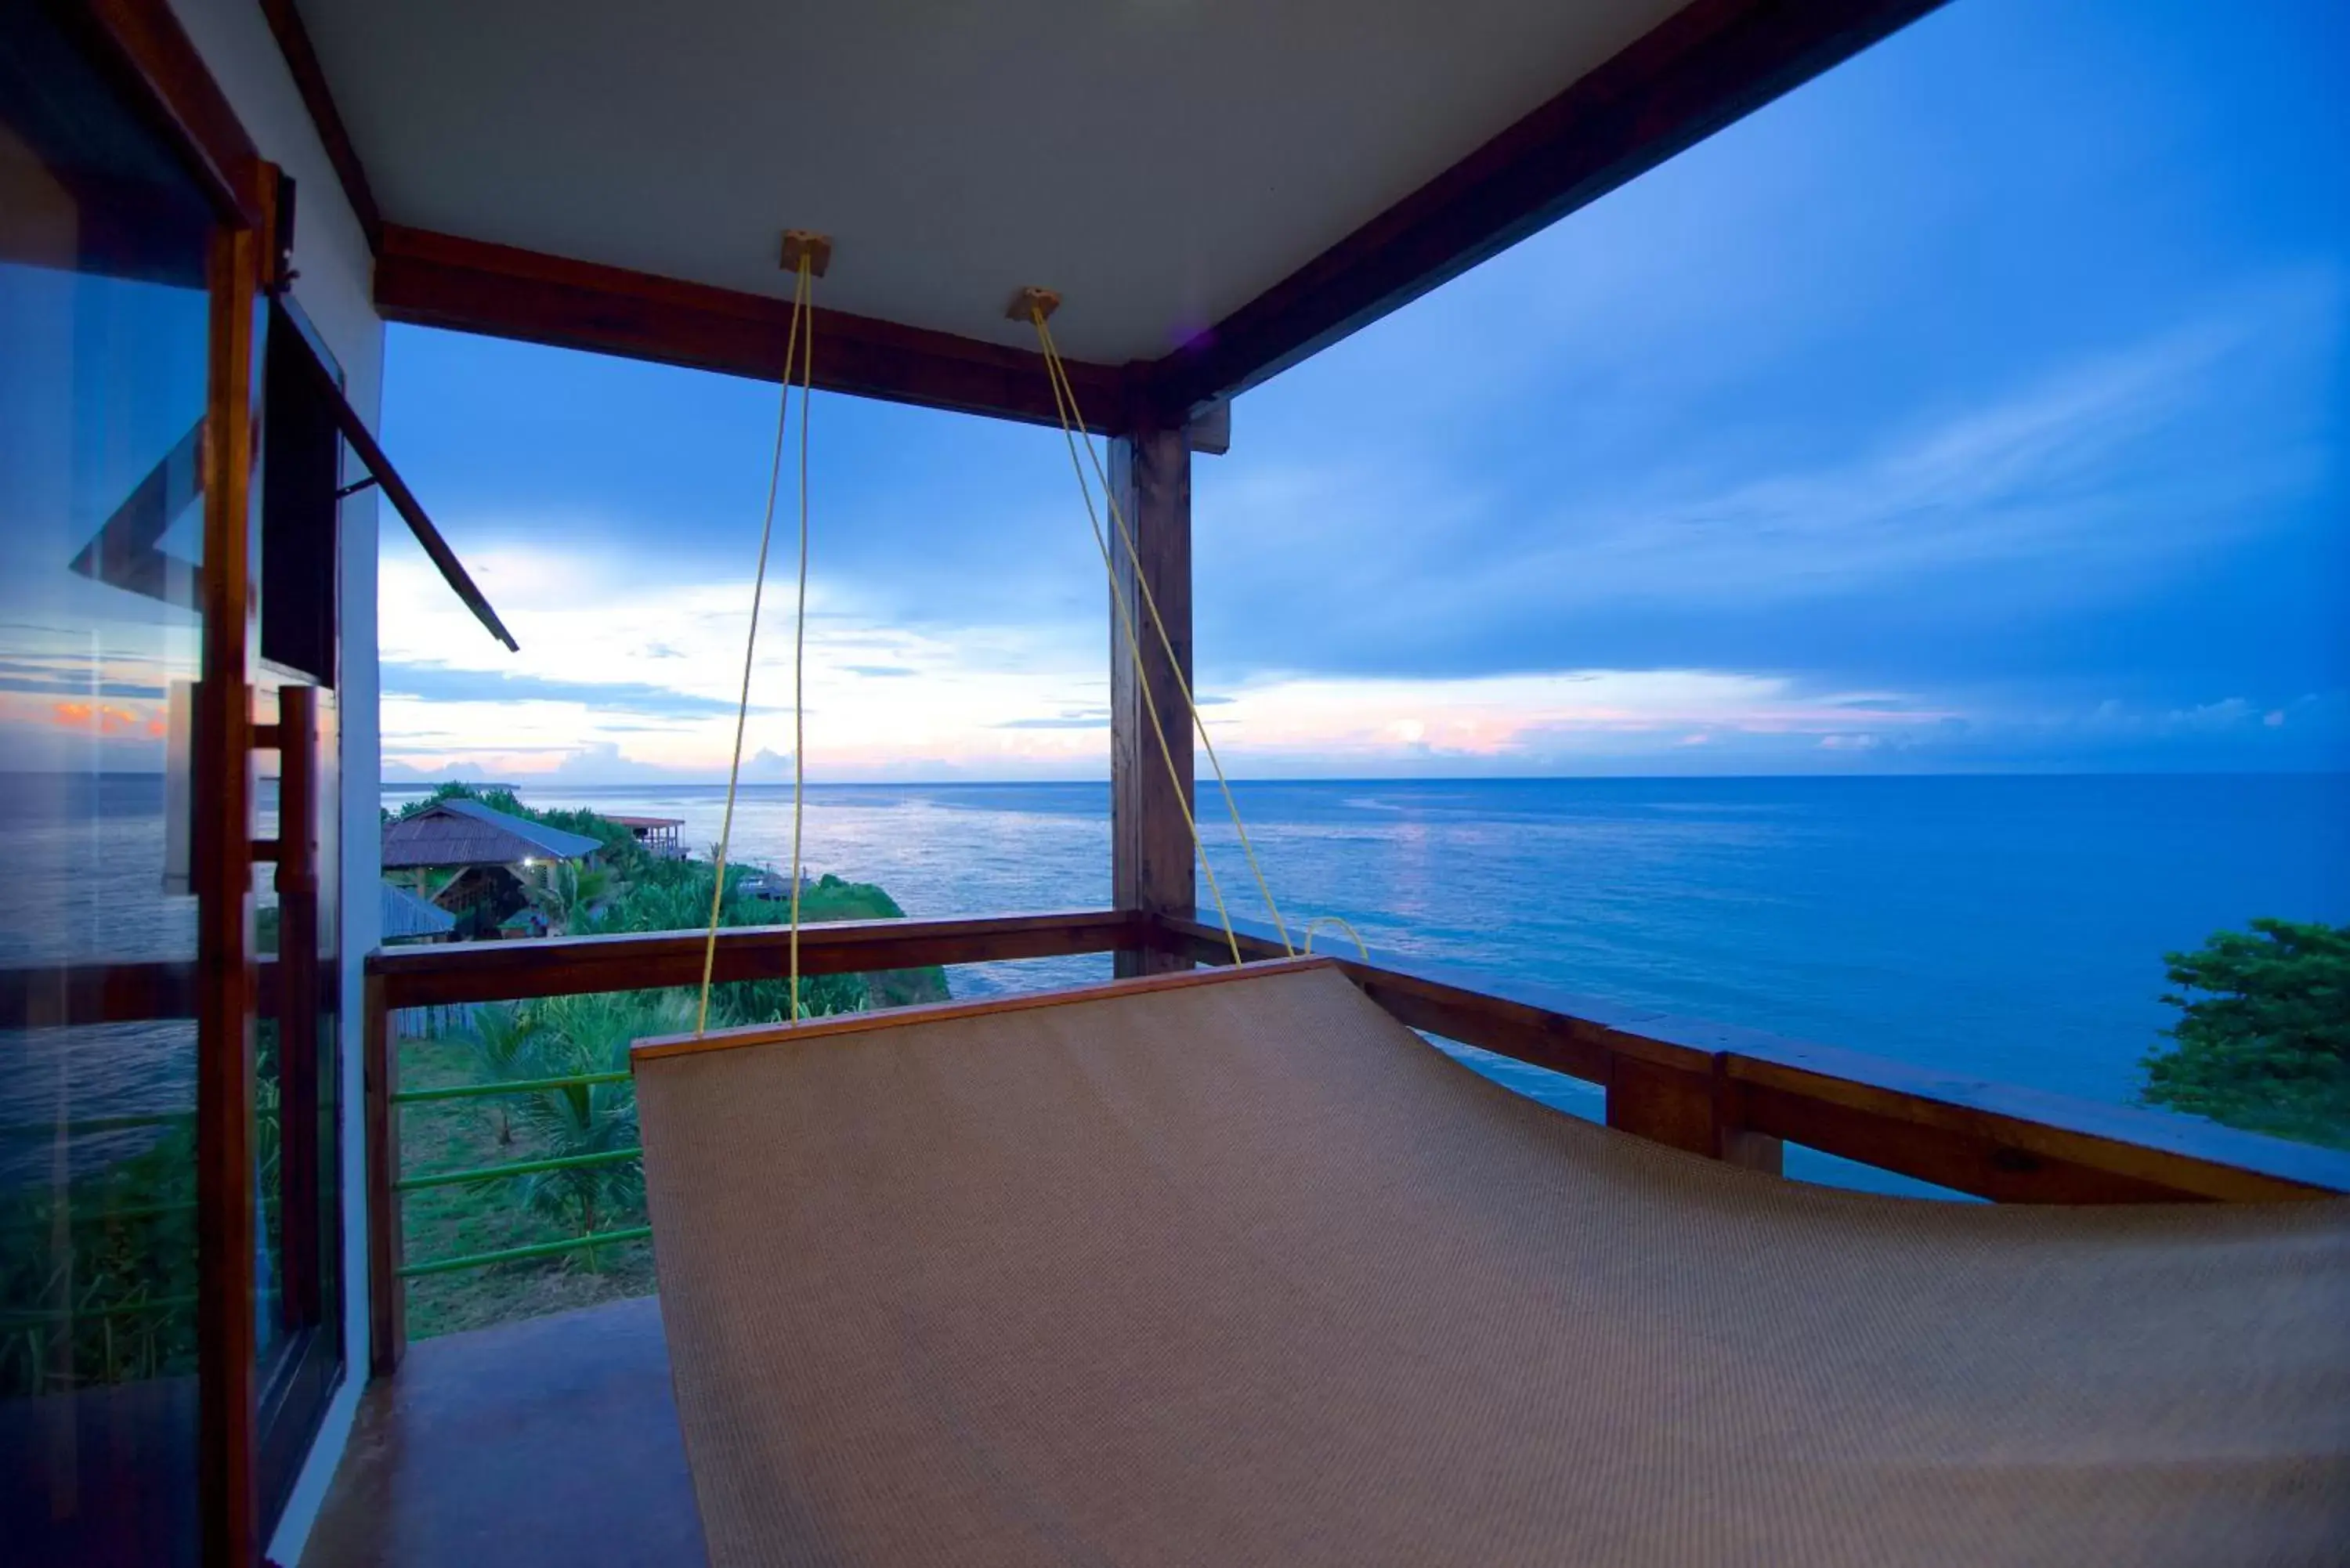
1717 1092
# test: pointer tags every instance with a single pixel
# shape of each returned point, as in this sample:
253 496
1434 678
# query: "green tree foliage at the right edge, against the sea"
2264 1033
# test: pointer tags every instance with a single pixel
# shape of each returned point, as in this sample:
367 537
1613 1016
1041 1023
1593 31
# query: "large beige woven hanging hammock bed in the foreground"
1247 1273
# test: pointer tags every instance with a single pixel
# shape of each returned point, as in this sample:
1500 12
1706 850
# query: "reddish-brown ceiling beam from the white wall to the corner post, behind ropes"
471 286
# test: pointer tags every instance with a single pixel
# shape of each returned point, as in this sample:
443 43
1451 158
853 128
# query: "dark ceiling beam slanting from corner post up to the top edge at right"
1703 69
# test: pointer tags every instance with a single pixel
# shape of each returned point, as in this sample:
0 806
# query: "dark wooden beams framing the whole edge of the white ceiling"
1703 69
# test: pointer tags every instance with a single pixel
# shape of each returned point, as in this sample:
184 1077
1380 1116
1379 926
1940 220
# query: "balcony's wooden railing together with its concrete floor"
556 1440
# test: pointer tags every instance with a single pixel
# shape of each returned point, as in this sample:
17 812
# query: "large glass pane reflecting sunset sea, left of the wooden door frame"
102 396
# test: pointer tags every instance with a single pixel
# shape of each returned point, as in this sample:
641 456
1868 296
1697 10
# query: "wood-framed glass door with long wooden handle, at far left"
170 1221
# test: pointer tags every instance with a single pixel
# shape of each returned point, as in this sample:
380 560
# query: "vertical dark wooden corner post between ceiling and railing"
1150 847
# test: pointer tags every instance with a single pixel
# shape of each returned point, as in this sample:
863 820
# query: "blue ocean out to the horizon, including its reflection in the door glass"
1999 927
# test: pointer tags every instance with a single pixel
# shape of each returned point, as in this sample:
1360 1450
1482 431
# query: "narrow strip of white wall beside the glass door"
335 288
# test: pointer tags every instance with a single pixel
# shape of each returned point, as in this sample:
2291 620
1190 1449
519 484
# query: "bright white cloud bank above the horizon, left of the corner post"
878 692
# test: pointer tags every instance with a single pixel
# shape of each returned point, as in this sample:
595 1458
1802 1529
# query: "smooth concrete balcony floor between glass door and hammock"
542 1442
